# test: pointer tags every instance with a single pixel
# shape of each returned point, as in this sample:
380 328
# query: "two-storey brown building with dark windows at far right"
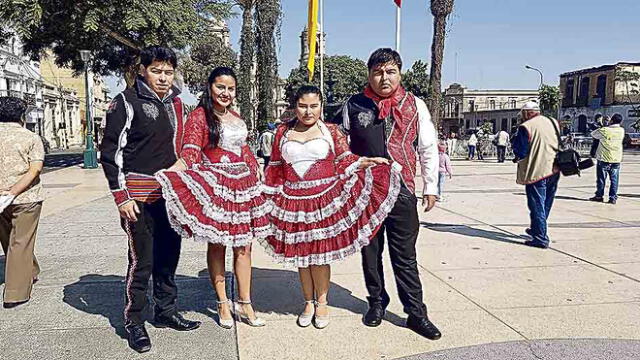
604 90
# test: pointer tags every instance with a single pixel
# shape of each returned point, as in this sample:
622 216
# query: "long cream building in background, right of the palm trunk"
466 109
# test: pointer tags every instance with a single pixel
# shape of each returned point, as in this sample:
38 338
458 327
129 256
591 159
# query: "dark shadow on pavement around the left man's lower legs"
104 295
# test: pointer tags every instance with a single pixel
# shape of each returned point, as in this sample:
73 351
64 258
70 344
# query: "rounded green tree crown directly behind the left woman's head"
206 54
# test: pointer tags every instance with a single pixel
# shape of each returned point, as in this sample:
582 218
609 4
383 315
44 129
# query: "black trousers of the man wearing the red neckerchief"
401 228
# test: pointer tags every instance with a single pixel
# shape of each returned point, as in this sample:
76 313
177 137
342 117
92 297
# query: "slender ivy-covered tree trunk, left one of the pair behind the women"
247 56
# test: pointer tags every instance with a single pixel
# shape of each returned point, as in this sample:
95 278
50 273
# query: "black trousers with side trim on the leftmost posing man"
154 250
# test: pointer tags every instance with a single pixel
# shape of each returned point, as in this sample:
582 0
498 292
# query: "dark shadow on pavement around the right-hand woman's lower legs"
278 291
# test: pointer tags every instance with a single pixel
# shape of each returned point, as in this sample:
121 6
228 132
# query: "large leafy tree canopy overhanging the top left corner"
113 30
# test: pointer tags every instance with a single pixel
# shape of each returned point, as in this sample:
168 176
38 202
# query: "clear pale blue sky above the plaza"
489 41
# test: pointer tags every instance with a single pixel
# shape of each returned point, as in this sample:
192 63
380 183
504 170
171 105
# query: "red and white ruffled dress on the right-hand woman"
325 208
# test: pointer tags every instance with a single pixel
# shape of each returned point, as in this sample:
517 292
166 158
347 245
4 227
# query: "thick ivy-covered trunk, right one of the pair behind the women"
267 16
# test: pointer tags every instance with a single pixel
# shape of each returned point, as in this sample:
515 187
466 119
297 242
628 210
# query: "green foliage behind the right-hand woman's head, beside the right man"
349 74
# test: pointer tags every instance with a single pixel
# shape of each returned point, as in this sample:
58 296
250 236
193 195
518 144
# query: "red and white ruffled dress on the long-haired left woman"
219 198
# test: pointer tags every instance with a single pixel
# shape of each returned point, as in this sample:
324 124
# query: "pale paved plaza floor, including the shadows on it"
492 297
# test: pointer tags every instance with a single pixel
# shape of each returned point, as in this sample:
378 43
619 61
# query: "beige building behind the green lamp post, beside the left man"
65 78
